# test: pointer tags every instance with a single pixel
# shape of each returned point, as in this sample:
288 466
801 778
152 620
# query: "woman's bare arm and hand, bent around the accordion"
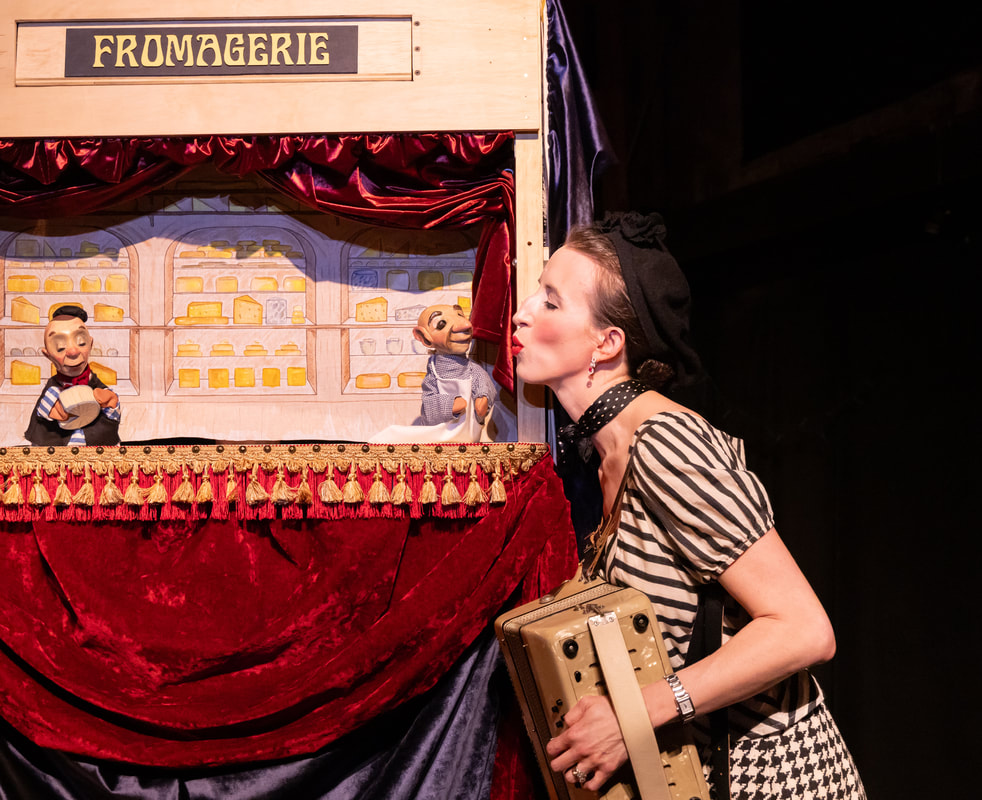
789 630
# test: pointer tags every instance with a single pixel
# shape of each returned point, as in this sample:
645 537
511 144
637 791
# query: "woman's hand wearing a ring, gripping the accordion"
592 743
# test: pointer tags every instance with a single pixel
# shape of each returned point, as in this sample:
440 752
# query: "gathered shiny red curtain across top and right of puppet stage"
439 180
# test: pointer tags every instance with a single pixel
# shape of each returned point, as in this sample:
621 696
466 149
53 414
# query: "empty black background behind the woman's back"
818 166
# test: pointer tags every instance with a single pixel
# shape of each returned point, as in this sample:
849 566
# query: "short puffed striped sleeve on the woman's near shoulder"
693 480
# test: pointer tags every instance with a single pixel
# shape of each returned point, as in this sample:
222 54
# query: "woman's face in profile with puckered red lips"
555 335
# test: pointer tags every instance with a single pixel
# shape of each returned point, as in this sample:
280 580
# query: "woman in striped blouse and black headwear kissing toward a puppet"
607 331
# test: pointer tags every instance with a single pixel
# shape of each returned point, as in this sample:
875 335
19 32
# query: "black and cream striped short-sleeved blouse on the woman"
690 509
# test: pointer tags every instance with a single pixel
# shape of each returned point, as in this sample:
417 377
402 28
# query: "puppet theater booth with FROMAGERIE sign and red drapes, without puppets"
245 599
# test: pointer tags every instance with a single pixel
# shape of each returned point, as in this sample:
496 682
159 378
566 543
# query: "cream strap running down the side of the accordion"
625 695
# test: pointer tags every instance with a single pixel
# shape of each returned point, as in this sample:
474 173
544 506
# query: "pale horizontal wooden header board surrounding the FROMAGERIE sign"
474 66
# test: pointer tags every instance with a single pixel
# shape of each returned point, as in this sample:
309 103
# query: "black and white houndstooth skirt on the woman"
808 761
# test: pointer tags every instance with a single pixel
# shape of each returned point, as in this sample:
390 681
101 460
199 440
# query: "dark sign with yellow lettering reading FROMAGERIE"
214 49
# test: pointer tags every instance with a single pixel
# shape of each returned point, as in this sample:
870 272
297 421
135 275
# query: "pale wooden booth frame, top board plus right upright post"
423 66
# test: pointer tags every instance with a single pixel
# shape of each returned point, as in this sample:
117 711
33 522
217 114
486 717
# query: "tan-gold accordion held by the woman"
549 647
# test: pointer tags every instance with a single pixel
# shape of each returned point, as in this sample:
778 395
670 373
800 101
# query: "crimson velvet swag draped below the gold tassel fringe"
180 644
